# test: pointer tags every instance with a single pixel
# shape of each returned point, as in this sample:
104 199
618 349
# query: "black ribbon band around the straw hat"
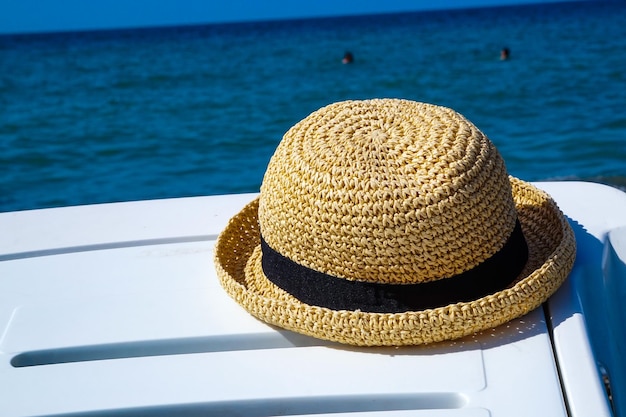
319 289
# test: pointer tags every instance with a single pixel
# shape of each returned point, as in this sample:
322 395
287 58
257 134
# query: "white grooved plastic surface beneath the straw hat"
116 309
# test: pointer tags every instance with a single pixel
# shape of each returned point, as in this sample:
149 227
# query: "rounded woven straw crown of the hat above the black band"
386 191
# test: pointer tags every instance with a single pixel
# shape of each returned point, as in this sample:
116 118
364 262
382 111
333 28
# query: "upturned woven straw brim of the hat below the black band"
552 250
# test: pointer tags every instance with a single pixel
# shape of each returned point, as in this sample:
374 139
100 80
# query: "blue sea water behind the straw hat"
105 116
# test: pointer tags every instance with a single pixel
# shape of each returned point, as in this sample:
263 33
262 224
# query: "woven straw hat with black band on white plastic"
392 222
